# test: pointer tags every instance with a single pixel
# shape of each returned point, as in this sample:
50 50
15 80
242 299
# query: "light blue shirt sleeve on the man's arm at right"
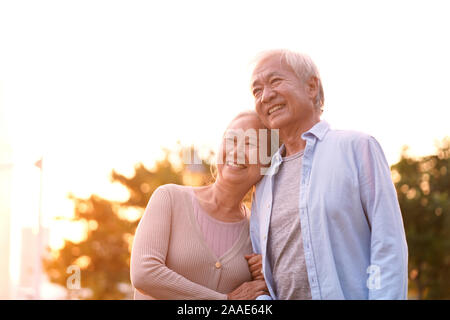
388 270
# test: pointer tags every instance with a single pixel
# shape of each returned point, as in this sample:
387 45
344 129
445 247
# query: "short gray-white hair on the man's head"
301 64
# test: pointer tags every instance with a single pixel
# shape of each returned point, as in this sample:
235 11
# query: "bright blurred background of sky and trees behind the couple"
99 100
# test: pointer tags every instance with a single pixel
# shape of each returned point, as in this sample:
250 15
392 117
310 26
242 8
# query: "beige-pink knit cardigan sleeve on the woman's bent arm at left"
148 271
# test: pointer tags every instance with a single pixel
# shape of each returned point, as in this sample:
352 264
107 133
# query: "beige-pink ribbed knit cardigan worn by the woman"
170 258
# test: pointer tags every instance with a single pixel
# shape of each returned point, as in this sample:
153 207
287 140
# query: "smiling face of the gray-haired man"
280 96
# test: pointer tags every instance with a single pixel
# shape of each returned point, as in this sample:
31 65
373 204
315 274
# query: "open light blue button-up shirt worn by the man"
353 235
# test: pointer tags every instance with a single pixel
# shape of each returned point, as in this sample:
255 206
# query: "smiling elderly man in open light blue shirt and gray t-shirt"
326 217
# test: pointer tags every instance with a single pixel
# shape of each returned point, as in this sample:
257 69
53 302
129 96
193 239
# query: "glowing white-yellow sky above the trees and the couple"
97 85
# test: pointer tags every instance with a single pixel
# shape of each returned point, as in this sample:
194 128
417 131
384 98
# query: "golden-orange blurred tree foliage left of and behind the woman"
104 255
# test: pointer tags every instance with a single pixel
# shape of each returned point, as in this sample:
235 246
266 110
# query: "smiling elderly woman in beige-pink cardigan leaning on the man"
193 242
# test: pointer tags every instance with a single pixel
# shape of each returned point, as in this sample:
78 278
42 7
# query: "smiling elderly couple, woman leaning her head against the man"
324 222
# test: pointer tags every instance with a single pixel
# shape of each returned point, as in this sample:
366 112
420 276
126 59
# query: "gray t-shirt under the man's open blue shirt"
285 243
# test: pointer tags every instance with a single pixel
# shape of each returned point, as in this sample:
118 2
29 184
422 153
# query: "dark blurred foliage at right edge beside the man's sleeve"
423 188
